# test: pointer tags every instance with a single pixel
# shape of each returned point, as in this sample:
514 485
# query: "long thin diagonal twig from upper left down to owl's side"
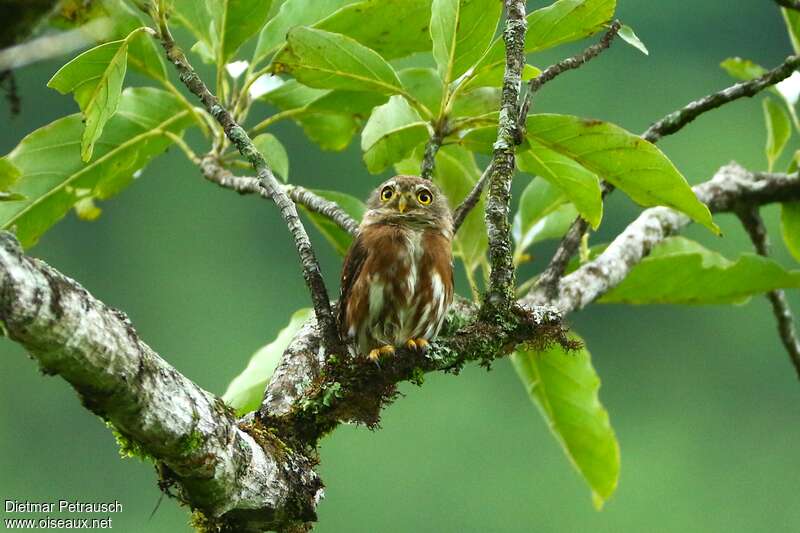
237 135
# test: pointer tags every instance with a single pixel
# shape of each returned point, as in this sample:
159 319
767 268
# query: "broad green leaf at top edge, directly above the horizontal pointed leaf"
392 28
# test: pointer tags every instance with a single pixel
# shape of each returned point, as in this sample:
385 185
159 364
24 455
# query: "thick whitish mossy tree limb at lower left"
219 467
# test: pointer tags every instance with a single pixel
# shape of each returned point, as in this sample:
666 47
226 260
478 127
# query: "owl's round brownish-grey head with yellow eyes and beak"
409 200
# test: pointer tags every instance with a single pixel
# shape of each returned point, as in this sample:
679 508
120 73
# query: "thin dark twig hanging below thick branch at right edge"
754 225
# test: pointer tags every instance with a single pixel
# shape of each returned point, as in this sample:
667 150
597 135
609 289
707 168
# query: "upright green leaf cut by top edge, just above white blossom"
234 22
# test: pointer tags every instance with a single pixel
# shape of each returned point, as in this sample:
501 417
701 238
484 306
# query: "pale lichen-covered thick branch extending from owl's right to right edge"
731 188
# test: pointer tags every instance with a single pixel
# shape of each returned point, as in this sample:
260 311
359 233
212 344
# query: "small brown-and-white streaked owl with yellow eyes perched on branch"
397 279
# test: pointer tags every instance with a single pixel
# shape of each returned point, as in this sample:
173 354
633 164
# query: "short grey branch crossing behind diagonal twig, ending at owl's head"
246 185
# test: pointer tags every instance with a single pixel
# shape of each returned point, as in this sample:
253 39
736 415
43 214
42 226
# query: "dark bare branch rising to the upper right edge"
680 118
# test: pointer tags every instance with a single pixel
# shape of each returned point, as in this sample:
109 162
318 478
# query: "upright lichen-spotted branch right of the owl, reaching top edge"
500 291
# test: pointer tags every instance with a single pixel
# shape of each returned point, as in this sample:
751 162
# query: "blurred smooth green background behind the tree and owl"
704 401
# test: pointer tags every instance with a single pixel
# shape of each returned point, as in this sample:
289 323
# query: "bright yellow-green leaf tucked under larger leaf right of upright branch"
575 181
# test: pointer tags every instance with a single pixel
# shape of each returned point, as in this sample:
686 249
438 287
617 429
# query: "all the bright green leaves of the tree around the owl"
401 74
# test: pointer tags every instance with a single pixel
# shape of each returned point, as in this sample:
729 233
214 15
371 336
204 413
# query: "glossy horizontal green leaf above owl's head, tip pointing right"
331 61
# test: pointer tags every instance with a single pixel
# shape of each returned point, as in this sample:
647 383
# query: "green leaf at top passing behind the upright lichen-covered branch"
562 22
